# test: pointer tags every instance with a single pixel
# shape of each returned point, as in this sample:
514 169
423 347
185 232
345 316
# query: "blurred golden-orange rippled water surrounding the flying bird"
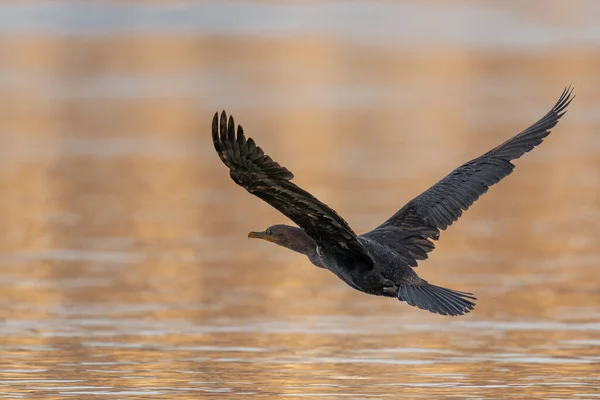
124 264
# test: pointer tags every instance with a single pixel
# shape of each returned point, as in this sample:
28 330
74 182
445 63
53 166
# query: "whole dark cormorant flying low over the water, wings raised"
379 262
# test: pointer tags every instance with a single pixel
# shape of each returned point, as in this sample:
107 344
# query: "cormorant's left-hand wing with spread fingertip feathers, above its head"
255 171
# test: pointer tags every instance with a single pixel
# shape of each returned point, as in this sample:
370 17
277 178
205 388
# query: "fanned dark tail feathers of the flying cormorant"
437 299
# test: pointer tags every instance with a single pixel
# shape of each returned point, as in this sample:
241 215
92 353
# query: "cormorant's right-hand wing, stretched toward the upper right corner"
411 229
